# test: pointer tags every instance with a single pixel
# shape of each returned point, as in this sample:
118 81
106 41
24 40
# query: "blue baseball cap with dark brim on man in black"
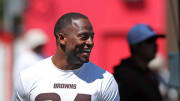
141 32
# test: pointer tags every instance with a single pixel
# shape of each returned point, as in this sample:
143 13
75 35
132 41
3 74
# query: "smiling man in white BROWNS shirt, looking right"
68 75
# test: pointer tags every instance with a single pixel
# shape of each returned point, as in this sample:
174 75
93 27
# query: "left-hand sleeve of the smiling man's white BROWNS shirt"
18 90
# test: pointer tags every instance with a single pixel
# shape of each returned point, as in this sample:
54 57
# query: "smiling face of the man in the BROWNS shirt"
79 41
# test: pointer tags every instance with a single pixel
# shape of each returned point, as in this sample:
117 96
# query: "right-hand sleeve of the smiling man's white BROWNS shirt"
110 91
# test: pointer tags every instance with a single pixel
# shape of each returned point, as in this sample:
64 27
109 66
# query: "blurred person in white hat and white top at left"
28 51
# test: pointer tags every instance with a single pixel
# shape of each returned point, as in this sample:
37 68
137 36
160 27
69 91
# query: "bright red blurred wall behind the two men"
111 20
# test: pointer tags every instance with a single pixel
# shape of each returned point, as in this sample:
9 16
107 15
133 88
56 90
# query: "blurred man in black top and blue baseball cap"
136 82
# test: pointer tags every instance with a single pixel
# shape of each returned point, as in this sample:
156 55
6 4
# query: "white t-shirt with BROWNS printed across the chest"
45 82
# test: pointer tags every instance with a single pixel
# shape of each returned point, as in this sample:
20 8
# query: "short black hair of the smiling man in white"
65 20
